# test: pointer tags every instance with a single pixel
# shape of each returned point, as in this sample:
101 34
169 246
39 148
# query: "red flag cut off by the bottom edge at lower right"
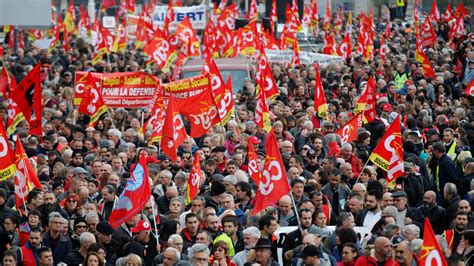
431 253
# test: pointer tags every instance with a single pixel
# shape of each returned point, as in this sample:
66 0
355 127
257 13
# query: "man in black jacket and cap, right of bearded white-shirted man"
406 215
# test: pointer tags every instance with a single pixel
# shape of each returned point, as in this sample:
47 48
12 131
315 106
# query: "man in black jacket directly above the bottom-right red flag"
435 213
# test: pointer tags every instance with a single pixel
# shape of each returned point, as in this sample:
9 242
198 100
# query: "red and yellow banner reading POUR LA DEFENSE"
124 89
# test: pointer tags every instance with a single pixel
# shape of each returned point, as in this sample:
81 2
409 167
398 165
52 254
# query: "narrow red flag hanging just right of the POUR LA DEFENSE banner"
174 132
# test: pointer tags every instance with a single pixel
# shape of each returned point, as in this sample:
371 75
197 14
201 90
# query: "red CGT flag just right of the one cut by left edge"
25 177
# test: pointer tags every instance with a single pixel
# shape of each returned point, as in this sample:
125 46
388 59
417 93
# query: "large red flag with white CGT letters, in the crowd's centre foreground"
274 182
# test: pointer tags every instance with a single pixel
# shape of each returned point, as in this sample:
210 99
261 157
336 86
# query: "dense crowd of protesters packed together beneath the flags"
335 189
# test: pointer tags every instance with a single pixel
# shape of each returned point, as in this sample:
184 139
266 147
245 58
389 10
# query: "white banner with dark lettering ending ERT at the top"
196 14
